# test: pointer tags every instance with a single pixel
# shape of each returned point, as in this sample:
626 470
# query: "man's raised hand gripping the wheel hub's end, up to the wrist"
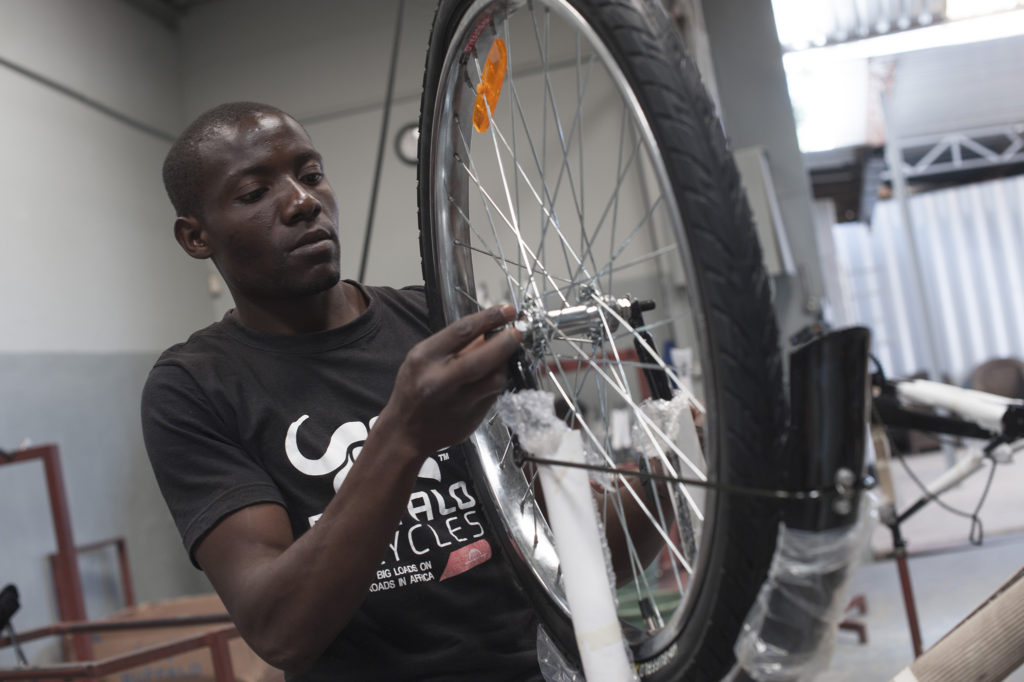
450 380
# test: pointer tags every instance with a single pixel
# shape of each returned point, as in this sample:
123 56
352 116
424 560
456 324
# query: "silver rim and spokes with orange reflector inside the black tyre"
547 206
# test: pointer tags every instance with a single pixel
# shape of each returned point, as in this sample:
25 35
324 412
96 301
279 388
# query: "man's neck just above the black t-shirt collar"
317 313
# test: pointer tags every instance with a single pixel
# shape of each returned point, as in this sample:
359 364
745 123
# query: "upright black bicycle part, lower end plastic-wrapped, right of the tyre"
798 608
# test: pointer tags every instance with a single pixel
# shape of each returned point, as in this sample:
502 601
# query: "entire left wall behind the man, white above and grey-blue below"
93 287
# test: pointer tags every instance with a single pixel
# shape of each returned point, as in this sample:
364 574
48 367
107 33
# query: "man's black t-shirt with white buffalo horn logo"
235 417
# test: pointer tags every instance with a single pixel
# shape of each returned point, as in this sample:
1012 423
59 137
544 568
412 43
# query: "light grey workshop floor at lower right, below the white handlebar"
951 577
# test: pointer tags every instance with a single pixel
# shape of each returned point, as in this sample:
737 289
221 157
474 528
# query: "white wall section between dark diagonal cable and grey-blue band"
88 242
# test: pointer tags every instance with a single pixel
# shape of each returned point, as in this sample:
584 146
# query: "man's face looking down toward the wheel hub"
269 215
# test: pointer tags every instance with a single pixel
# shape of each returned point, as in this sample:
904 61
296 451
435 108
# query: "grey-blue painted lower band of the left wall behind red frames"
89 406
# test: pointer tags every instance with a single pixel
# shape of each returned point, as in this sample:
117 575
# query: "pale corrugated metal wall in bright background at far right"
971 246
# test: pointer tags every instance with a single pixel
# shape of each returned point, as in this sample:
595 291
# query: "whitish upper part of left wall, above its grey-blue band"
88 241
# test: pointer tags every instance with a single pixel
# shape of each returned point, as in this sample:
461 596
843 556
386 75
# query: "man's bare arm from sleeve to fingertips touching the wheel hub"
290 600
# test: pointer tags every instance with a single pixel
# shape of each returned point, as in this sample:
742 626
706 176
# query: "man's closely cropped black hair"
184 165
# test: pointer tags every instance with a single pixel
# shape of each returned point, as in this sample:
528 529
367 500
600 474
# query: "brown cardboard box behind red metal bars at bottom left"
195 666
